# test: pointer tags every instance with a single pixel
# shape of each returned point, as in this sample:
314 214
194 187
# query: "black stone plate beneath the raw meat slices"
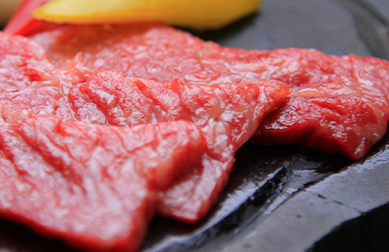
284 198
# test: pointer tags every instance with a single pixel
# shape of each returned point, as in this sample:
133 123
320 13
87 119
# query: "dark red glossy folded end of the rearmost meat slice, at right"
335 124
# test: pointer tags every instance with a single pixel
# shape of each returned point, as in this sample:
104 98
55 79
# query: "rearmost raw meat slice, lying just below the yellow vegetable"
162 53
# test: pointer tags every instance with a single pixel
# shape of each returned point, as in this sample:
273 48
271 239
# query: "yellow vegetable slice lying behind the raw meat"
198 14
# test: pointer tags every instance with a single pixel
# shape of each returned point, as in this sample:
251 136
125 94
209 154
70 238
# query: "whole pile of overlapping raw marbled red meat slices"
193 104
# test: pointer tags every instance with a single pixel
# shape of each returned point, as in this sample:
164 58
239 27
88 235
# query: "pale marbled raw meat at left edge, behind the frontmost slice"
29 82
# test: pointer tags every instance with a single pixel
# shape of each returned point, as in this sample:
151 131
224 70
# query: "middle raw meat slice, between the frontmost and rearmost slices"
228 114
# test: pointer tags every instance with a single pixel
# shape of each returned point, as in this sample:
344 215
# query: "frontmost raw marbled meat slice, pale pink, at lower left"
94 187
